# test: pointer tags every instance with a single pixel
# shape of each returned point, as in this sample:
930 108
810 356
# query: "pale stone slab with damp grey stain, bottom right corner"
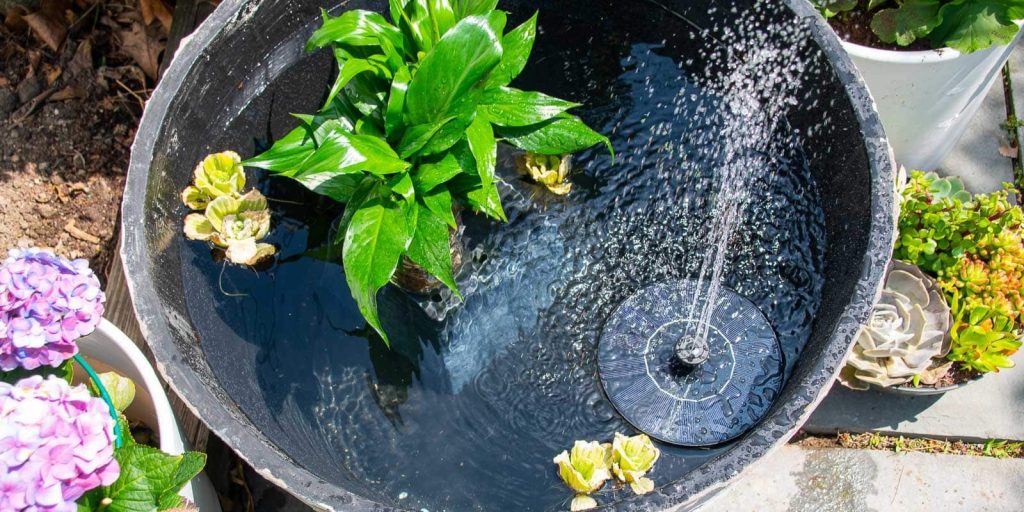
795 480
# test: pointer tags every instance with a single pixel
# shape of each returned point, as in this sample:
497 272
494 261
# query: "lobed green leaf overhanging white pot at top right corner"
969 26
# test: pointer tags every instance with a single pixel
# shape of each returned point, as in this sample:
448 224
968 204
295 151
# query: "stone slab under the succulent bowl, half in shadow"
990 409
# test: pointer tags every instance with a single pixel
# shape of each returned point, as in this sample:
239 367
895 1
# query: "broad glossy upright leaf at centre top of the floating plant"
460 61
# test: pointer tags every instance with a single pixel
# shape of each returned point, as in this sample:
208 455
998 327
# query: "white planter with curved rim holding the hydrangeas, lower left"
108 349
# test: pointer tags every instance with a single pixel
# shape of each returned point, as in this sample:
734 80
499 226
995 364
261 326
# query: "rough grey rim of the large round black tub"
230 424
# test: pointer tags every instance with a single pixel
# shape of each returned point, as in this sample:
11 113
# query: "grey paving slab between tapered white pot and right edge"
976 158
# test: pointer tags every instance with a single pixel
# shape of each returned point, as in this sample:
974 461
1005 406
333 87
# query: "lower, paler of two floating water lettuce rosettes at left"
236 225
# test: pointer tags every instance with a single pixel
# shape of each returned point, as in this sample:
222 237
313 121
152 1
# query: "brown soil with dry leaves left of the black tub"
68 119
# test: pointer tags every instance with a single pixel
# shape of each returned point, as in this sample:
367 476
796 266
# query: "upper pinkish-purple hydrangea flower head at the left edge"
47 304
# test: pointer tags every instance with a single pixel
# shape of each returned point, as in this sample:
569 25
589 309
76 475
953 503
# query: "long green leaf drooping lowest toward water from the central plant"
375 241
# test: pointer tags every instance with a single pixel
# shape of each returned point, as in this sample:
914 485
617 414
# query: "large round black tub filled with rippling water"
748 152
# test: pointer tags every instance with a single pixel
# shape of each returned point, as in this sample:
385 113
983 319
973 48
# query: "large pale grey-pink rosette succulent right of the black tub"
908 331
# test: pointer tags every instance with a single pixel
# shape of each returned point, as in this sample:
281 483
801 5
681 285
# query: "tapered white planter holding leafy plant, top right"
927 100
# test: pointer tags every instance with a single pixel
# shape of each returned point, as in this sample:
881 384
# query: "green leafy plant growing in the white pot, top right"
963 25
